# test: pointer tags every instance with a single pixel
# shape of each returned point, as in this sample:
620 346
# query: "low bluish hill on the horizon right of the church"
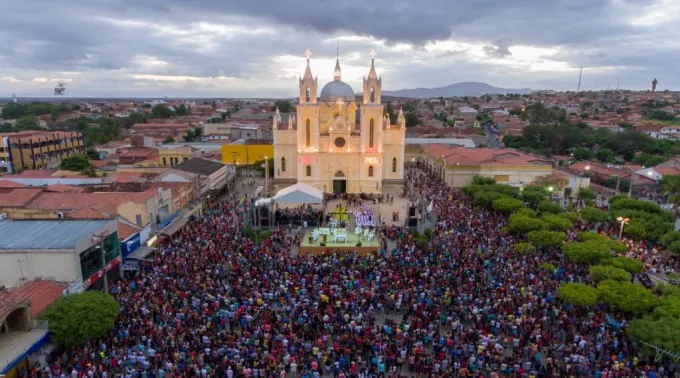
454 90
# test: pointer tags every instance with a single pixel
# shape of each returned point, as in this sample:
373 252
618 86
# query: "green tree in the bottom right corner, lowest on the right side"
663 333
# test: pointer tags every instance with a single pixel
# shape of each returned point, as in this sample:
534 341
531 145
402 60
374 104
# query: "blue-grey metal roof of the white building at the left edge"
46 234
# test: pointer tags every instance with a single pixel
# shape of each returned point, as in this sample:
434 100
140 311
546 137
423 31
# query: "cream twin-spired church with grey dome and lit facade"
334 143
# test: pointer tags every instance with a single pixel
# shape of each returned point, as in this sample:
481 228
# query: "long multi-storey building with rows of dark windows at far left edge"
37 149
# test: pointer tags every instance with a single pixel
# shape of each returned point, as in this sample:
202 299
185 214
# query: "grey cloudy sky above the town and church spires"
255 48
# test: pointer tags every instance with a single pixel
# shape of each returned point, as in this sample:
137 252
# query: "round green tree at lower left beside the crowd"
78 318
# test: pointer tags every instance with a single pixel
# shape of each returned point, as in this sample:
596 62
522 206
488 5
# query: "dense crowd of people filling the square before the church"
211 303
